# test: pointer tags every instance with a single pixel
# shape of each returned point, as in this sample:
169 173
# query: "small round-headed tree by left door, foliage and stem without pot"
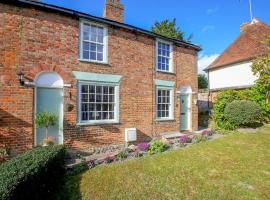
45 120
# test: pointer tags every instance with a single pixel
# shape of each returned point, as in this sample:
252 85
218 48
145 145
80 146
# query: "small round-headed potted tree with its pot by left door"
45 120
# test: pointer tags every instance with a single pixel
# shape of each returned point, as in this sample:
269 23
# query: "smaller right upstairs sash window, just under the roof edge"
164 56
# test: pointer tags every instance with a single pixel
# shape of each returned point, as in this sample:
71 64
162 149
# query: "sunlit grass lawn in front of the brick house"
236 166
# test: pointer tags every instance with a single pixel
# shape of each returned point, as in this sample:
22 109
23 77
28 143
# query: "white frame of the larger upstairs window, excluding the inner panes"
105 42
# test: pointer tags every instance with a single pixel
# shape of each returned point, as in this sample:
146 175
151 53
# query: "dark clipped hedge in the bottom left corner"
36 174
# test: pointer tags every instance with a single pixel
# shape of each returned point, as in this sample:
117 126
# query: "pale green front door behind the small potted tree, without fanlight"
50 100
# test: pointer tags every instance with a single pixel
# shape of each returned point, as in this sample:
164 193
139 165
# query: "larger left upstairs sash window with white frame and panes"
93 42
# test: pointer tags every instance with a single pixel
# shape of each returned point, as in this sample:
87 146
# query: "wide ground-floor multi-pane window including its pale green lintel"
98 98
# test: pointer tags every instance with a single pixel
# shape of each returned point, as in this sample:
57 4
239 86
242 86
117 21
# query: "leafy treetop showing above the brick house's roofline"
169 29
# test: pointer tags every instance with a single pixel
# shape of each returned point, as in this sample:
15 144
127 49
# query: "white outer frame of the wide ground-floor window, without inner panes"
96 122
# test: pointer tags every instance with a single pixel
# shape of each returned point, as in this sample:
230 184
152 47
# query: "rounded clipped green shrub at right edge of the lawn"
243 113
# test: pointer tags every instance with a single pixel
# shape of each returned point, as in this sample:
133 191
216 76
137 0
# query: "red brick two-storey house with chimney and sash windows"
104 79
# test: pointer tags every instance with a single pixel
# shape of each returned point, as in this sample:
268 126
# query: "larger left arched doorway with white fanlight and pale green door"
49 97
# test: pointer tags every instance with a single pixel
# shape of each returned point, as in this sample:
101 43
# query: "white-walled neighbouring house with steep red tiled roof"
232 69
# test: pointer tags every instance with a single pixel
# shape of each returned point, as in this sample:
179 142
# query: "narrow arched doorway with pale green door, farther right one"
185 108
